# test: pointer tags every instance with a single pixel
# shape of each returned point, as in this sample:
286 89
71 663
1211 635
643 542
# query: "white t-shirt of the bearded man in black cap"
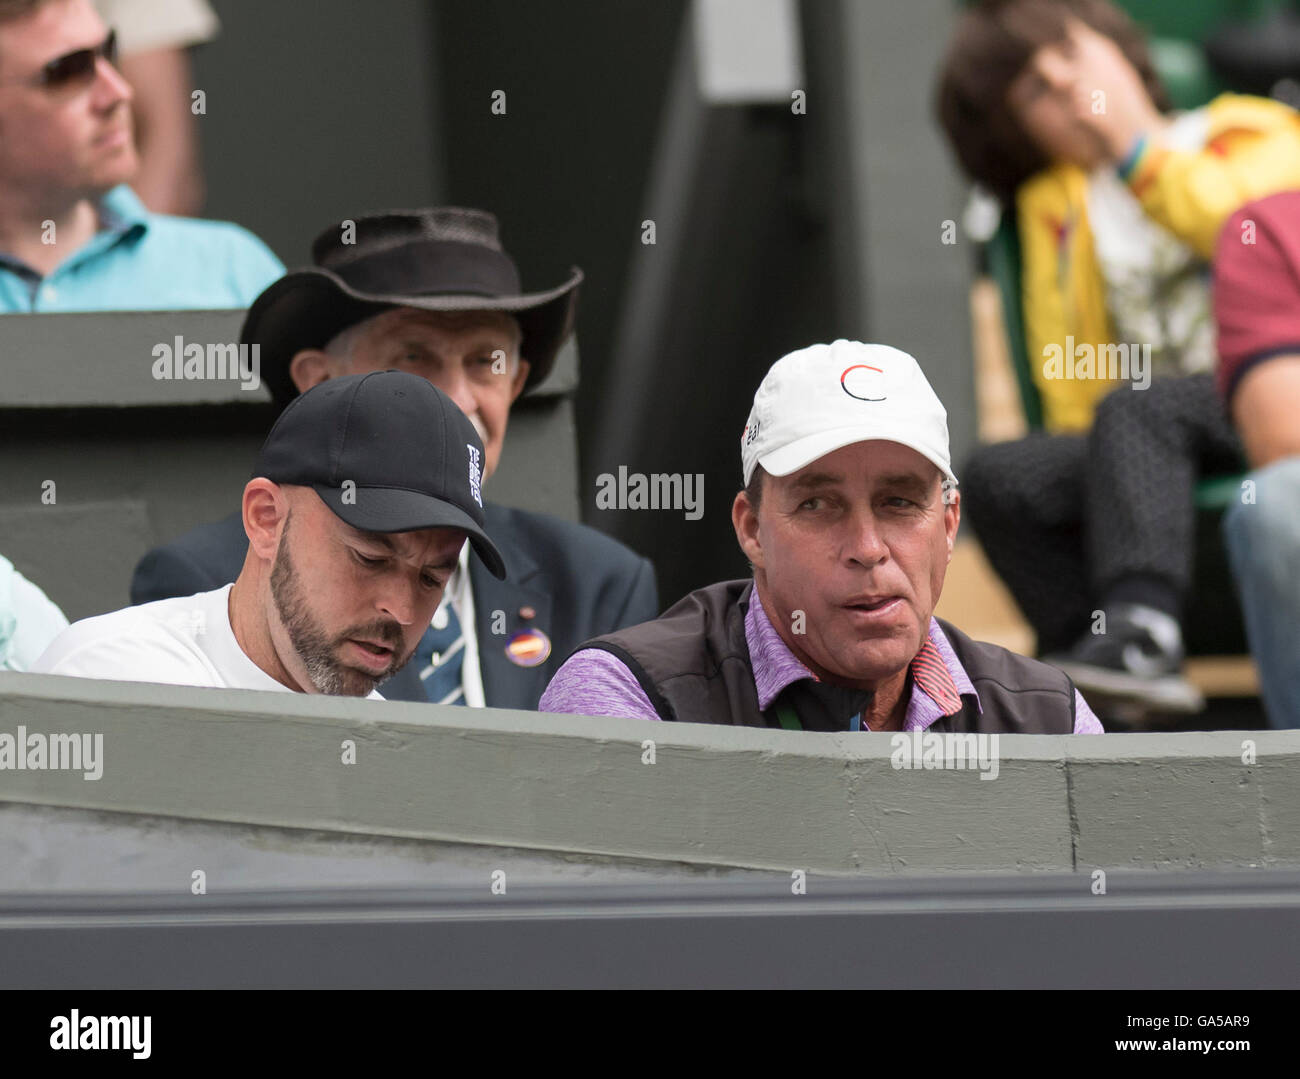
183 642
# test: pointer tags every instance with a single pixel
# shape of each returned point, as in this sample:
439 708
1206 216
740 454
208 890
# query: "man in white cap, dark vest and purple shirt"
848 518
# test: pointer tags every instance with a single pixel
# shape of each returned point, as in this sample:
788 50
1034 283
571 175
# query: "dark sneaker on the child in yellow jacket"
1139 658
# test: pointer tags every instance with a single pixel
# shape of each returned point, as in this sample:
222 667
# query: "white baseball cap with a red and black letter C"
821 398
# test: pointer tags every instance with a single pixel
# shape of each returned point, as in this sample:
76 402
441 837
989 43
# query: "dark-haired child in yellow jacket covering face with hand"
1054 106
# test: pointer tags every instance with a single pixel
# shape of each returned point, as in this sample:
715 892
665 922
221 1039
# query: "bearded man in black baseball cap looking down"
350 544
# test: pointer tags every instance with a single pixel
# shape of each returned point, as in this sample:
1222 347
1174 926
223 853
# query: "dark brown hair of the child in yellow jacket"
990 49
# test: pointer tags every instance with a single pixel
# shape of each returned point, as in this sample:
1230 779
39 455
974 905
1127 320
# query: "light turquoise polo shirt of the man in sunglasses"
146 262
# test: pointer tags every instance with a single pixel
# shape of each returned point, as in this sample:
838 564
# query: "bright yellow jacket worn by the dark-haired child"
1253 150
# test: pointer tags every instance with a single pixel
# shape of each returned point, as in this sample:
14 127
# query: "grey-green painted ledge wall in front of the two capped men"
714 796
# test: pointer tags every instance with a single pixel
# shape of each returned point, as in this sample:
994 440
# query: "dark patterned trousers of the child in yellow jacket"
1073 522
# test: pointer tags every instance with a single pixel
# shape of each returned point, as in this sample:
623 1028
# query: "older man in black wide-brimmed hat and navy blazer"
435 294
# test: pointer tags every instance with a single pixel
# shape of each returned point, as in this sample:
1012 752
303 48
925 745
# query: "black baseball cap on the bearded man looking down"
387 452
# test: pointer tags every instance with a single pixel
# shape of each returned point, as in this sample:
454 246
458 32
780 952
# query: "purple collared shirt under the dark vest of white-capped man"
596 683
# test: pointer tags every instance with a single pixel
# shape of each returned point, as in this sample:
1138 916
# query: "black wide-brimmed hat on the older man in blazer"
441 259
